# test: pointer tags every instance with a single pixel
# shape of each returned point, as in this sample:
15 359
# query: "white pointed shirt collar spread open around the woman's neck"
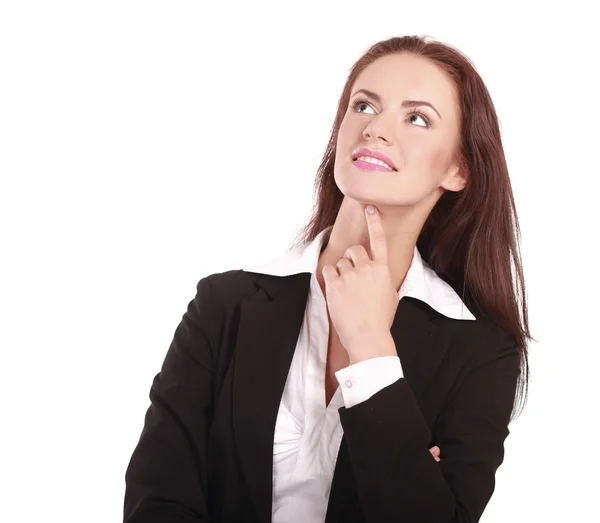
421 281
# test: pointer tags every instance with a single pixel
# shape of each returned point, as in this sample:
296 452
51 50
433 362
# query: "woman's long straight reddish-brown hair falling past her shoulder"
471 237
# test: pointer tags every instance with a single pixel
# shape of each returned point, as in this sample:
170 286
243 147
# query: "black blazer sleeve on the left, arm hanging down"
166 476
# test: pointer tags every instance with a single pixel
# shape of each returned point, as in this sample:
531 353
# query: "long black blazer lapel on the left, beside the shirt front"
268 331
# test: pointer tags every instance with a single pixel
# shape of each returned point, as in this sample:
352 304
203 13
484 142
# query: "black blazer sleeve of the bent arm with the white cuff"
387 436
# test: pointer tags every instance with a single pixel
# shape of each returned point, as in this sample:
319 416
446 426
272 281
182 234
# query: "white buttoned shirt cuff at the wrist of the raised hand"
364 379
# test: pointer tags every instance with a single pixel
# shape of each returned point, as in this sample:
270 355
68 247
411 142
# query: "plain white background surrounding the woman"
145 145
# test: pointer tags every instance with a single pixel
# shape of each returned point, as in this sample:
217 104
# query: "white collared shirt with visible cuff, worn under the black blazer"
308 433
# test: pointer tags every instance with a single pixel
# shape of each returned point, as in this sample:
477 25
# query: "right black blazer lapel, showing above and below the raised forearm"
420 352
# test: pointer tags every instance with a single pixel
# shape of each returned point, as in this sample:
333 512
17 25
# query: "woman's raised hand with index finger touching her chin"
362 300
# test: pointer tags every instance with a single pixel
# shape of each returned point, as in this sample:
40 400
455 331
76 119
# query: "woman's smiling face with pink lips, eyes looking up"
421 146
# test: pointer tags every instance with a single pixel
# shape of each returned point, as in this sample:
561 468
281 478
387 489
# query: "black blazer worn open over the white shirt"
205 452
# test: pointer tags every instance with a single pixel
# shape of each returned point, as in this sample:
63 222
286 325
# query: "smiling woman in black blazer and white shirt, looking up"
369 374
